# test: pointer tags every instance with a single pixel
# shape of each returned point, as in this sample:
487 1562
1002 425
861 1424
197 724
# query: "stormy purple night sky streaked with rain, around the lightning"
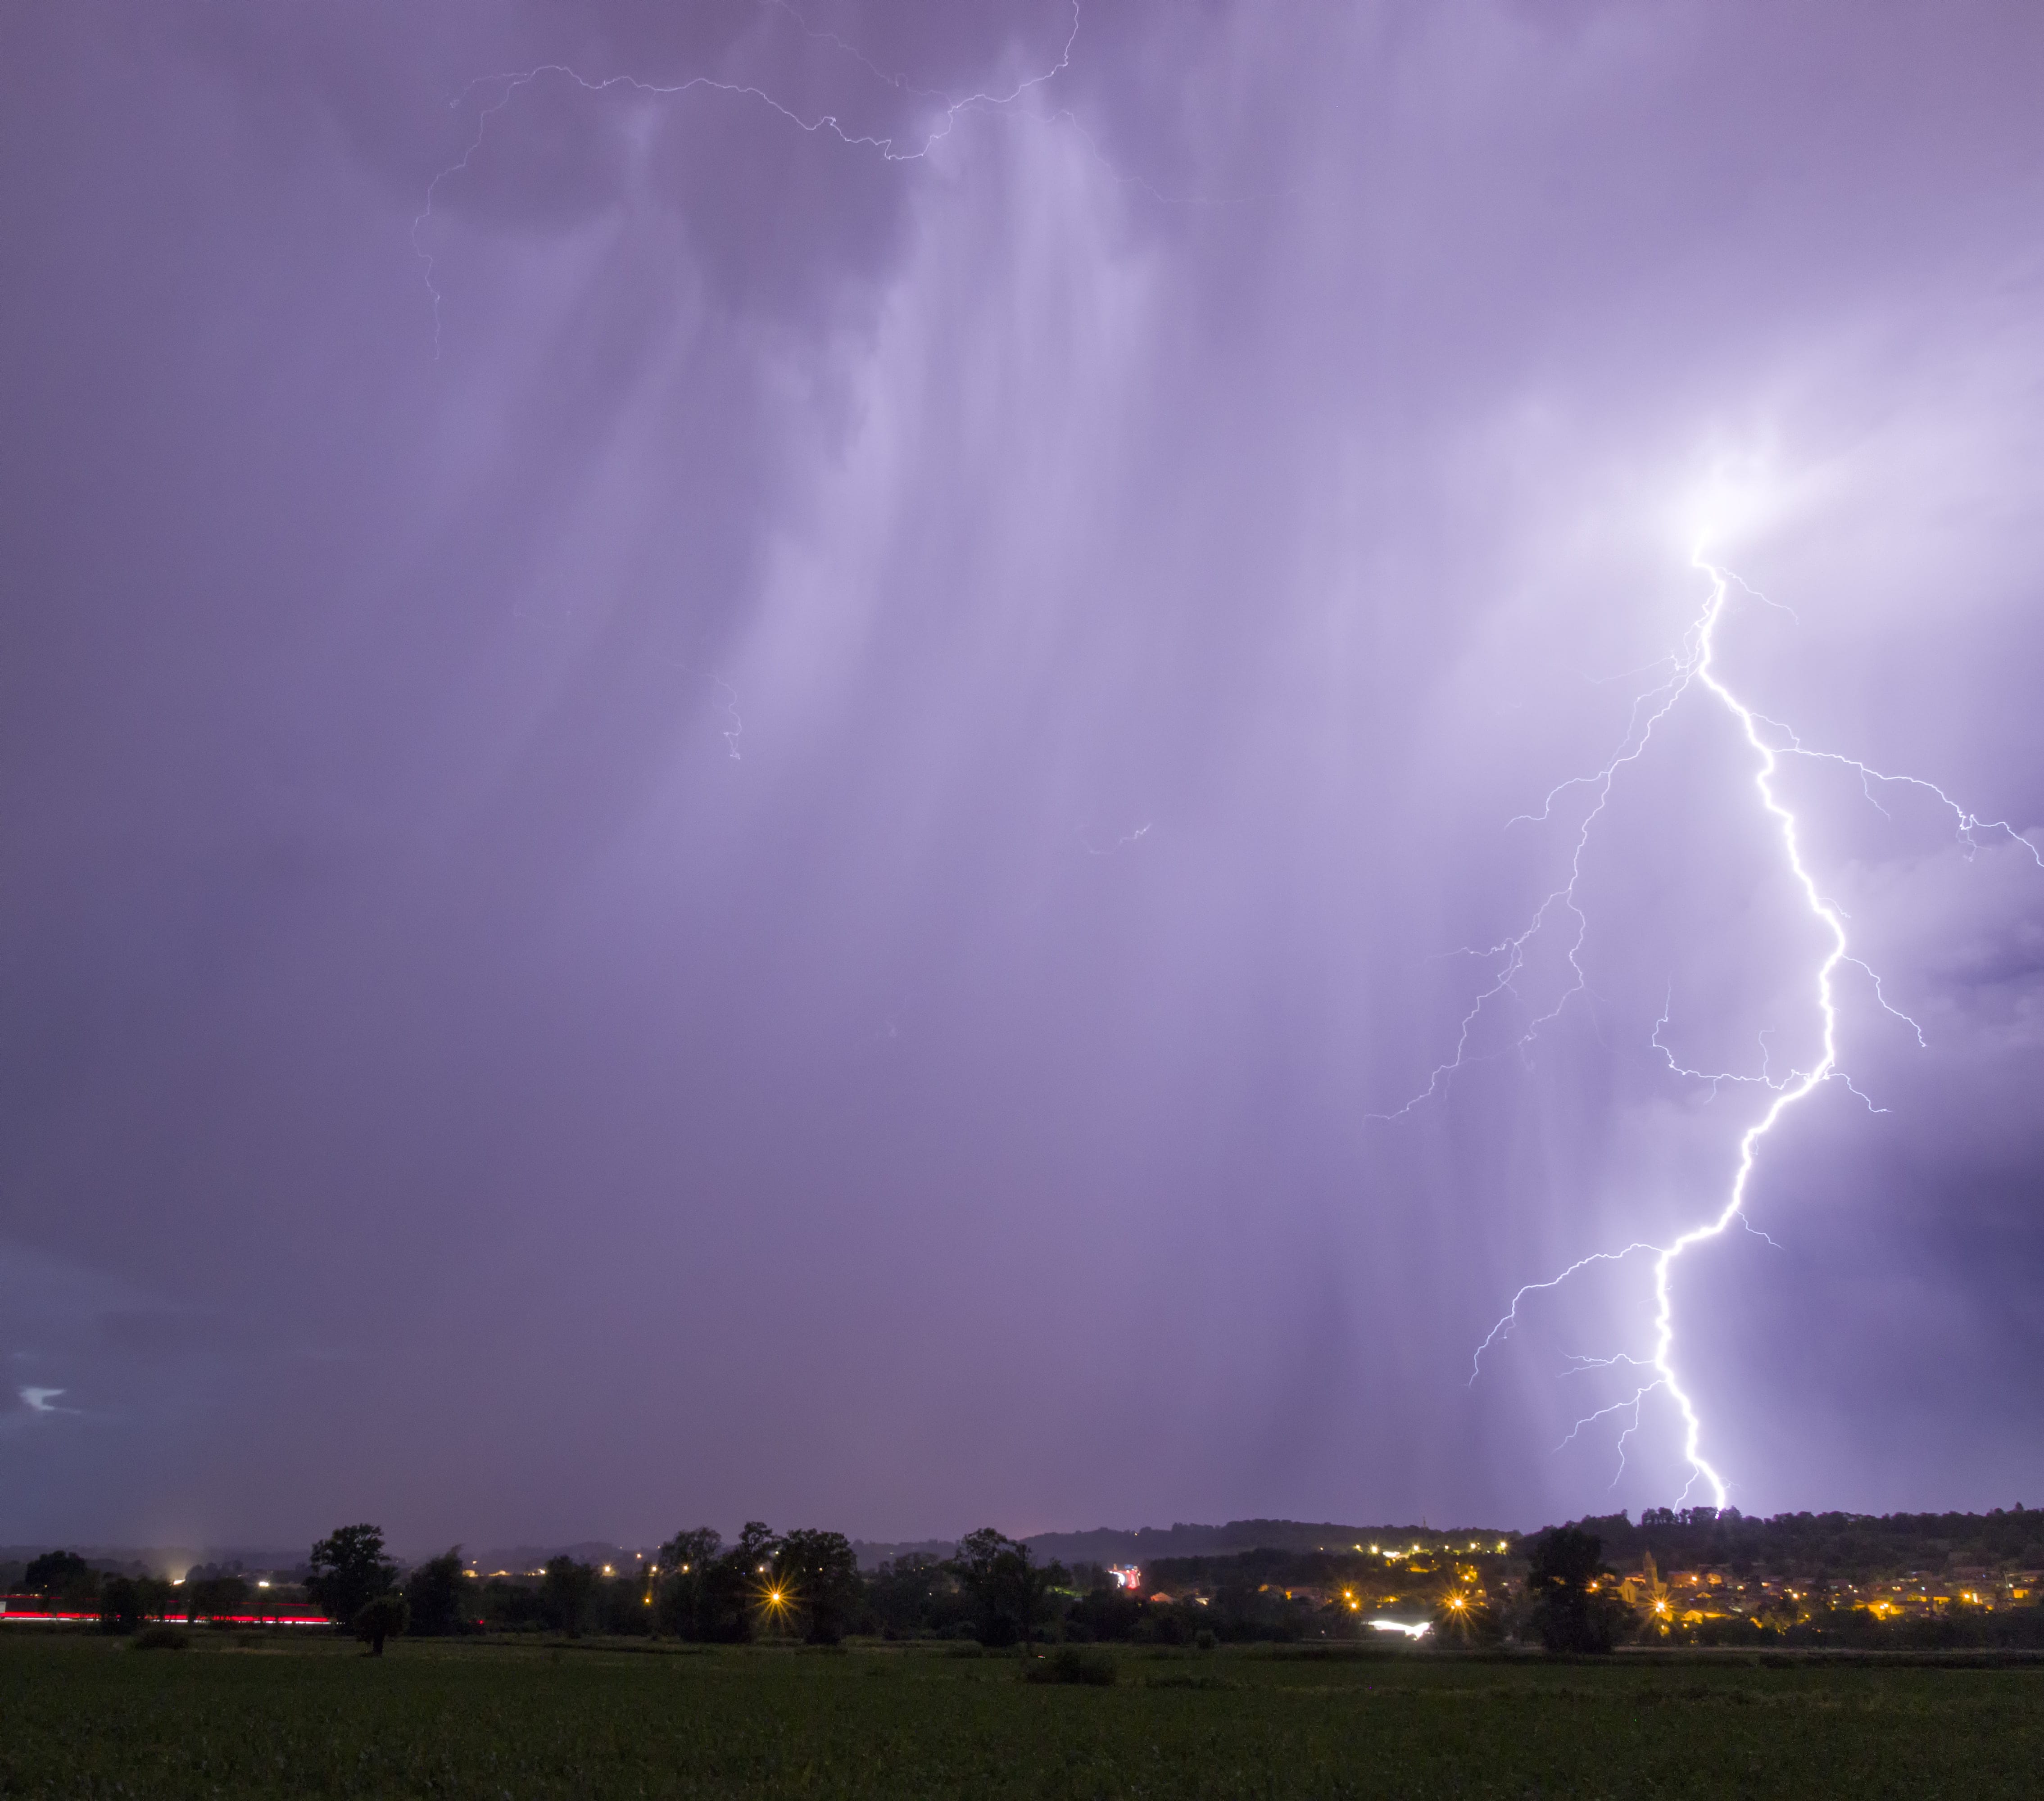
780 860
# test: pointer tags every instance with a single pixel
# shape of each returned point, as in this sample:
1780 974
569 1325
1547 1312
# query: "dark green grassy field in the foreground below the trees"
257 1716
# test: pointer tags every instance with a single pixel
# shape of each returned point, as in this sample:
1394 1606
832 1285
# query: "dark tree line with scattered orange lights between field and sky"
1554 1589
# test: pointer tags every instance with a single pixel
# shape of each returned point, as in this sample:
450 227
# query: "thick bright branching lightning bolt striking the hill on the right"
1771 743
